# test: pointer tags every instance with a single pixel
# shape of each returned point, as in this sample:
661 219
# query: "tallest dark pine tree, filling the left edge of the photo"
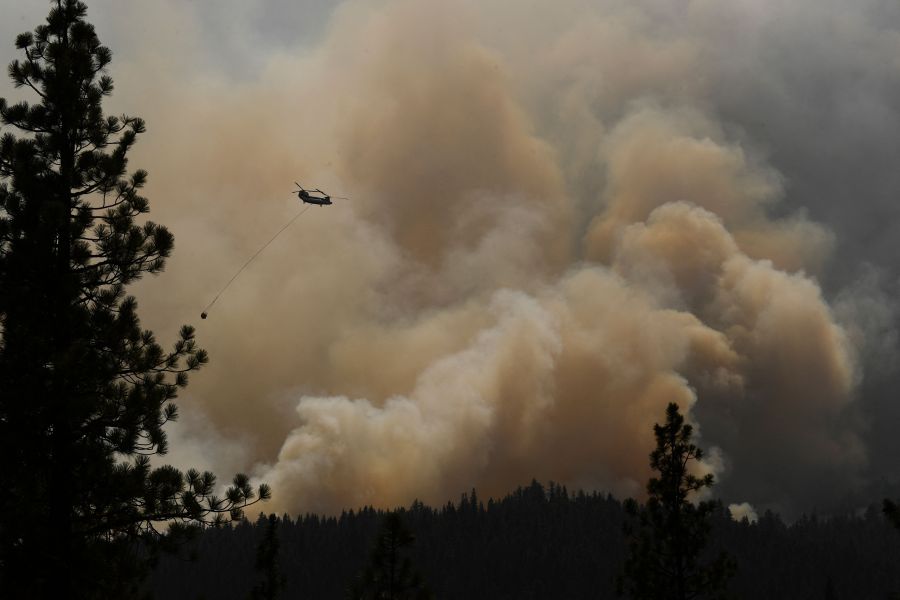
84 391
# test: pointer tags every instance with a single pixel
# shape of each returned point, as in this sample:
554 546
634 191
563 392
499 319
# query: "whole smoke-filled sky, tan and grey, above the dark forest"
562 216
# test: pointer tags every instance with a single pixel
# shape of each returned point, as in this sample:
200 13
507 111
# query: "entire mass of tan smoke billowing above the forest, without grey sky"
517 286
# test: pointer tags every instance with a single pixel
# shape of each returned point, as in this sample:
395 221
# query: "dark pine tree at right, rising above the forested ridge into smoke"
667 536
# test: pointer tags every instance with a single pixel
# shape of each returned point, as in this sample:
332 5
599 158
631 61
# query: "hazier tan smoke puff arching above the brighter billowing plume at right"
655 157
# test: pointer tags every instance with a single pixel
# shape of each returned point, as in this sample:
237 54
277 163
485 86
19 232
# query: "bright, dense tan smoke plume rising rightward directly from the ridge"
565 383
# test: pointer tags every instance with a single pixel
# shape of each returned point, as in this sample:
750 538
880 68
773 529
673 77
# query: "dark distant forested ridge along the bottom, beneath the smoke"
538 542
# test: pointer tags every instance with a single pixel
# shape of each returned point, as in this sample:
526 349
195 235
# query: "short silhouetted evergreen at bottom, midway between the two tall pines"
390 574
